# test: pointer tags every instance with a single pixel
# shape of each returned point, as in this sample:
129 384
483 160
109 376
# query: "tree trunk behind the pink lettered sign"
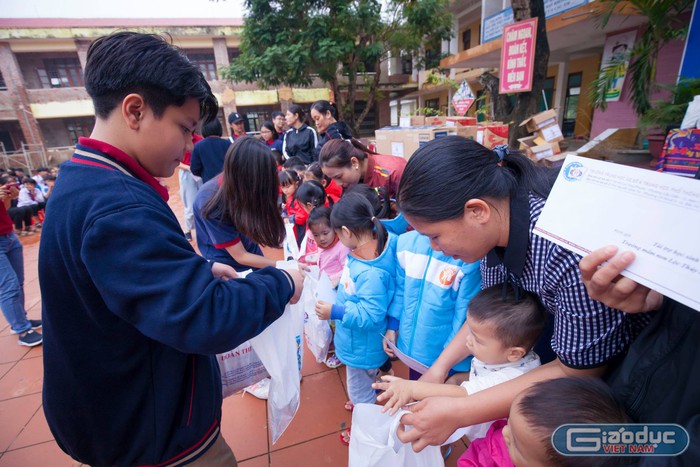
526 102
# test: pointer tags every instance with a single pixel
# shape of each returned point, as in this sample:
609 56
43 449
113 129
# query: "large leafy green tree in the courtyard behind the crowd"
290 42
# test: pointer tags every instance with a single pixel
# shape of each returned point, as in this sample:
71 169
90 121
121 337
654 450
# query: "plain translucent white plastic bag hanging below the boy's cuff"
279 349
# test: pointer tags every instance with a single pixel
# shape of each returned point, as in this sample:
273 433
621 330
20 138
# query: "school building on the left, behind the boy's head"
43 102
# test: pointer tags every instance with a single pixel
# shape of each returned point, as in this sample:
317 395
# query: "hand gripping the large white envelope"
605 284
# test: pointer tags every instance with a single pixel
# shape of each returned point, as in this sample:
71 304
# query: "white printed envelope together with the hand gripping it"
654 215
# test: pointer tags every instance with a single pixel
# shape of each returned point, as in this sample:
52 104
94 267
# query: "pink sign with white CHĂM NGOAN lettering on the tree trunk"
518 56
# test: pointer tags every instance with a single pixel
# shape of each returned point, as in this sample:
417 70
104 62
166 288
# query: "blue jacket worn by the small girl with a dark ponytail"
364 295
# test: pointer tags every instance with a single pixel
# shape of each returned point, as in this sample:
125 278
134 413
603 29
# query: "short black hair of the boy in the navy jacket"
129 62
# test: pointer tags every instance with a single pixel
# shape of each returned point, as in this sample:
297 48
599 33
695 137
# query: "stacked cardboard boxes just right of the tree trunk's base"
543 145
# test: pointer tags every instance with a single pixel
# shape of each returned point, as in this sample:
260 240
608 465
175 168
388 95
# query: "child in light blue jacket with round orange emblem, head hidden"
433 291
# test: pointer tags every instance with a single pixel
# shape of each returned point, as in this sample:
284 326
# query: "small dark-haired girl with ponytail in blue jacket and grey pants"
364 294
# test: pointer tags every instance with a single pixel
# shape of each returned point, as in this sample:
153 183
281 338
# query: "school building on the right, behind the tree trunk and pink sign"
576 43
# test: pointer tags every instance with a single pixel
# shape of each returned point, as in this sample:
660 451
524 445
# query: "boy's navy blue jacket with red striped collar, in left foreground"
132 316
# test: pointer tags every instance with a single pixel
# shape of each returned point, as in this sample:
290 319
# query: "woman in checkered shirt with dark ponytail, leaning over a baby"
476 203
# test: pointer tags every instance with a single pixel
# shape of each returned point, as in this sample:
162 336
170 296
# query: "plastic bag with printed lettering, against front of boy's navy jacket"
240 368
